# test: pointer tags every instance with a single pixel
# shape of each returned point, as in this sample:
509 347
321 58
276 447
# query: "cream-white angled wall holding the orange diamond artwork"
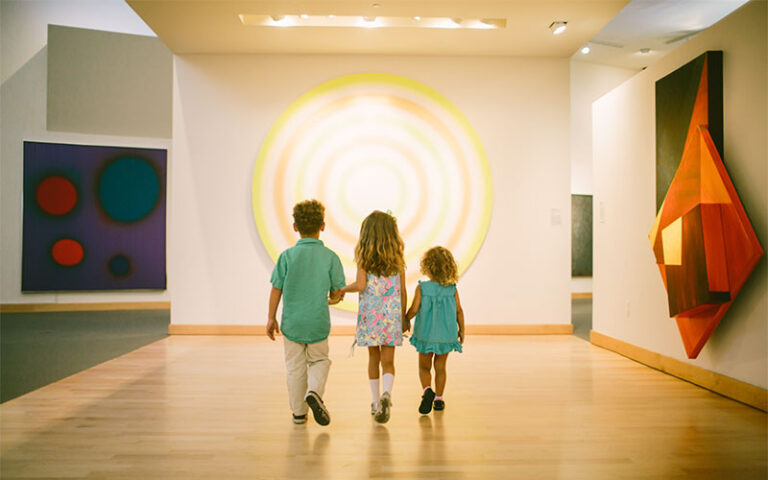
630 303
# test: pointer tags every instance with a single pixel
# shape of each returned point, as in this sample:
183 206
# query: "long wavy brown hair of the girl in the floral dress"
380 248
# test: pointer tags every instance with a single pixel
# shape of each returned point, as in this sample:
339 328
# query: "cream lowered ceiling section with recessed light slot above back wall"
213 26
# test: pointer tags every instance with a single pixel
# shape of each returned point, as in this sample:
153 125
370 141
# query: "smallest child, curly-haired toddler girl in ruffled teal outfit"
439 326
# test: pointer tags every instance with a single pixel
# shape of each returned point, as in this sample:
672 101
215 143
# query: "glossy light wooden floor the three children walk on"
528 407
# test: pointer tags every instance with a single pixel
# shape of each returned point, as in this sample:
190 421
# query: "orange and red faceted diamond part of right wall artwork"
703 241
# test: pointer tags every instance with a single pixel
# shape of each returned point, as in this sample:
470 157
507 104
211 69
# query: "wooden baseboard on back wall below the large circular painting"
182 329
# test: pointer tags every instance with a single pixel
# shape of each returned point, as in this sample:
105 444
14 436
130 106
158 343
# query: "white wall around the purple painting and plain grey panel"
23 117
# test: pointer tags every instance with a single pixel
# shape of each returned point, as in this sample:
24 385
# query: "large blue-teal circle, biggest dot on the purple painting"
128 189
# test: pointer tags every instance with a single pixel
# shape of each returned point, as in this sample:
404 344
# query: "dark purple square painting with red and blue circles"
94 218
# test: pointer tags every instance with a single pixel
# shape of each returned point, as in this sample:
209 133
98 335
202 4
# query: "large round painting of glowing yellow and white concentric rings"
368 142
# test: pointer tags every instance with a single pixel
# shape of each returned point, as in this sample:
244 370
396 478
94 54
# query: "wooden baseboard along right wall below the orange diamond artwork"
728 387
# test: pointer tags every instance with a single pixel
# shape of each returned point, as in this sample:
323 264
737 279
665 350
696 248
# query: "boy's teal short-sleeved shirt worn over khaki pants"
306 273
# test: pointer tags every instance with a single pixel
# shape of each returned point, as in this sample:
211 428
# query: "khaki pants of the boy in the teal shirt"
306 366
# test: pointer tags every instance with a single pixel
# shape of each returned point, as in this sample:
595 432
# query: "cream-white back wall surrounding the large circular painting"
224 106
